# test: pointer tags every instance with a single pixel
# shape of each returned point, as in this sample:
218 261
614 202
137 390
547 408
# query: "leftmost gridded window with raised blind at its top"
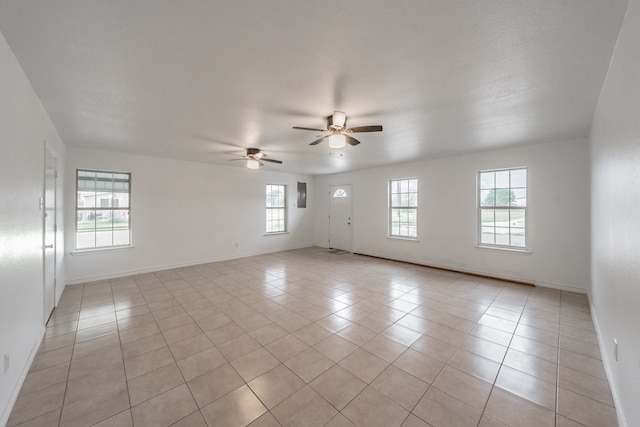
102 209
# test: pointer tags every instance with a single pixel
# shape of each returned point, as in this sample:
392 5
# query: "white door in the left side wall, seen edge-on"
49 237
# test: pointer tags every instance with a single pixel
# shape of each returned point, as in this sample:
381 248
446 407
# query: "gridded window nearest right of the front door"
403 208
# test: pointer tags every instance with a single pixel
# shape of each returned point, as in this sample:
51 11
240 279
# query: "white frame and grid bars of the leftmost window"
85 212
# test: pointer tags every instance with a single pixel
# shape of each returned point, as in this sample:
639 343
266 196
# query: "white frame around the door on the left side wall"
48 150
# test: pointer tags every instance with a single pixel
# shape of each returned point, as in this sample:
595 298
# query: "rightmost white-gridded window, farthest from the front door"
502 208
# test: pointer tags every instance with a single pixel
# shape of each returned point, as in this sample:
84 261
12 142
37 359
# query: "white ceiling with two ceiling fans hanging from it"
194 80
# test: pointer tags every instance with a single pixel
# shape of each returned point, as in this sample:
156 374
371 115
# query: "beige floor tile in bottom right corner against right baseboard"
584 410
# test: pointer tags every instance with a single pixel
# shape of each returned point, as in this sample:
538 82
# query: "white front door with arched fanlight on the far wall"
340 217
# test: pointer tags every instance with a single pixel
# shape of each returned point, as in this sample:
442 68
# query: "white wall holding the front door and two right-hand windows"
558 214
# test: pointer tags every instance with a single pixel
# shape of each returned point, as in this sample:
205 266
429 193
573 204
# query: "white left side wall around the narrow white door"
24 126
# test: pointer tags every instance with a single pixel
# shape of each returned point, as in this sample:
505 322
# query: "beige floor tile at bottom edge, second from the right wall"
514 410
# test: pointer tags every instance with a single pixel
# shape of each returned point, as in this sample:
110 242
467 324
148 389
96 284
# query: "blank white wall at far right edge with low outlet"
615 158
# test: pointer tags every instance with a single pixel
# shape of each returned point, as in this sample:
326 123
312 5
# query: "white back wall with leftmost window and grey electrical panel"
185 213
